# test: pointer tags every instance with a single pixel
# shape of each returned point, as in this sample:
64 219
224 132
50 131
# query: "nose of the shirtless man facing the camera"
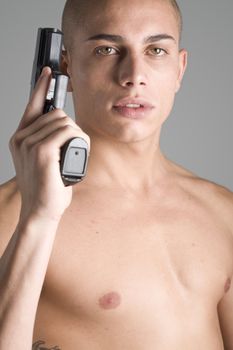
132 72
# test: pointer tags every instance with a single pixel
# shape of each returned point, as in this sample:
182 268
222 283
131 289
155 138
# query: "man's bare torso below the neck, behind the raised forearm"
140 272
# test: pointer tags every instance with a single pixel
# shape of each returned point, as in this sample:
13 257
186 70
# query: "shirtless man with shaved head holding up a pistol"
139 256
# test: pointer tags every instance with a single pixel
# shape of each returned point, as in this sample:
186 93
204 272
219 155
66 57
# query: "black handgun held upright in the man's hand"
74 153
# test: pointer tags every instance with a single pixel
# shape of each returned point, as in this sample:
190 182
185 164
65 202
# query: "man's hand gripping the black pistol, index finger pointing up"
35 148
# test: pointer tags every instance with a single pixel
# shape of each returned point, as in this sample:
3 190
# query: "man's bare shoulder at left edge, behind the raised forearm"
10 203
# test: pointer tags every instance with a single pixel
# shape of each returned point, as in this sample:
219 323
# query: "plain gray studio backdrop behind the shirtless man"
198 134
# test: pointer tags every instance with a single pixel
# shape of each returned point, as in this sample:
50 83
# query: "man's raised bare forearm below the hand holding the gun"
22 271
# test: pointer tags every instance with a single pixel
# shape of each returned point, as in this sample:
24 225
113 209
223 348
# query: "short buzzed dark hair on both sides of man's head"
74 15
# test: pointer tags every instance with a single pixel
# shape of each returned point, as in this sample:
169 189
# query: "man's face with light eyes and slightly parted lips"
108 69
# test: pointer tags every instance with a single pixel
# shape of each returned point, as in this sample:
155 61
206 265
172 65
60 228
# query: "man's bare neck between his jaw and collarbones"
132 166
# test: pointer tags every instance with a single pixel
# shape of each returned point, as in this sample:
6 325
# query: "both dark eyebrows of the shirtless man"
120 39
